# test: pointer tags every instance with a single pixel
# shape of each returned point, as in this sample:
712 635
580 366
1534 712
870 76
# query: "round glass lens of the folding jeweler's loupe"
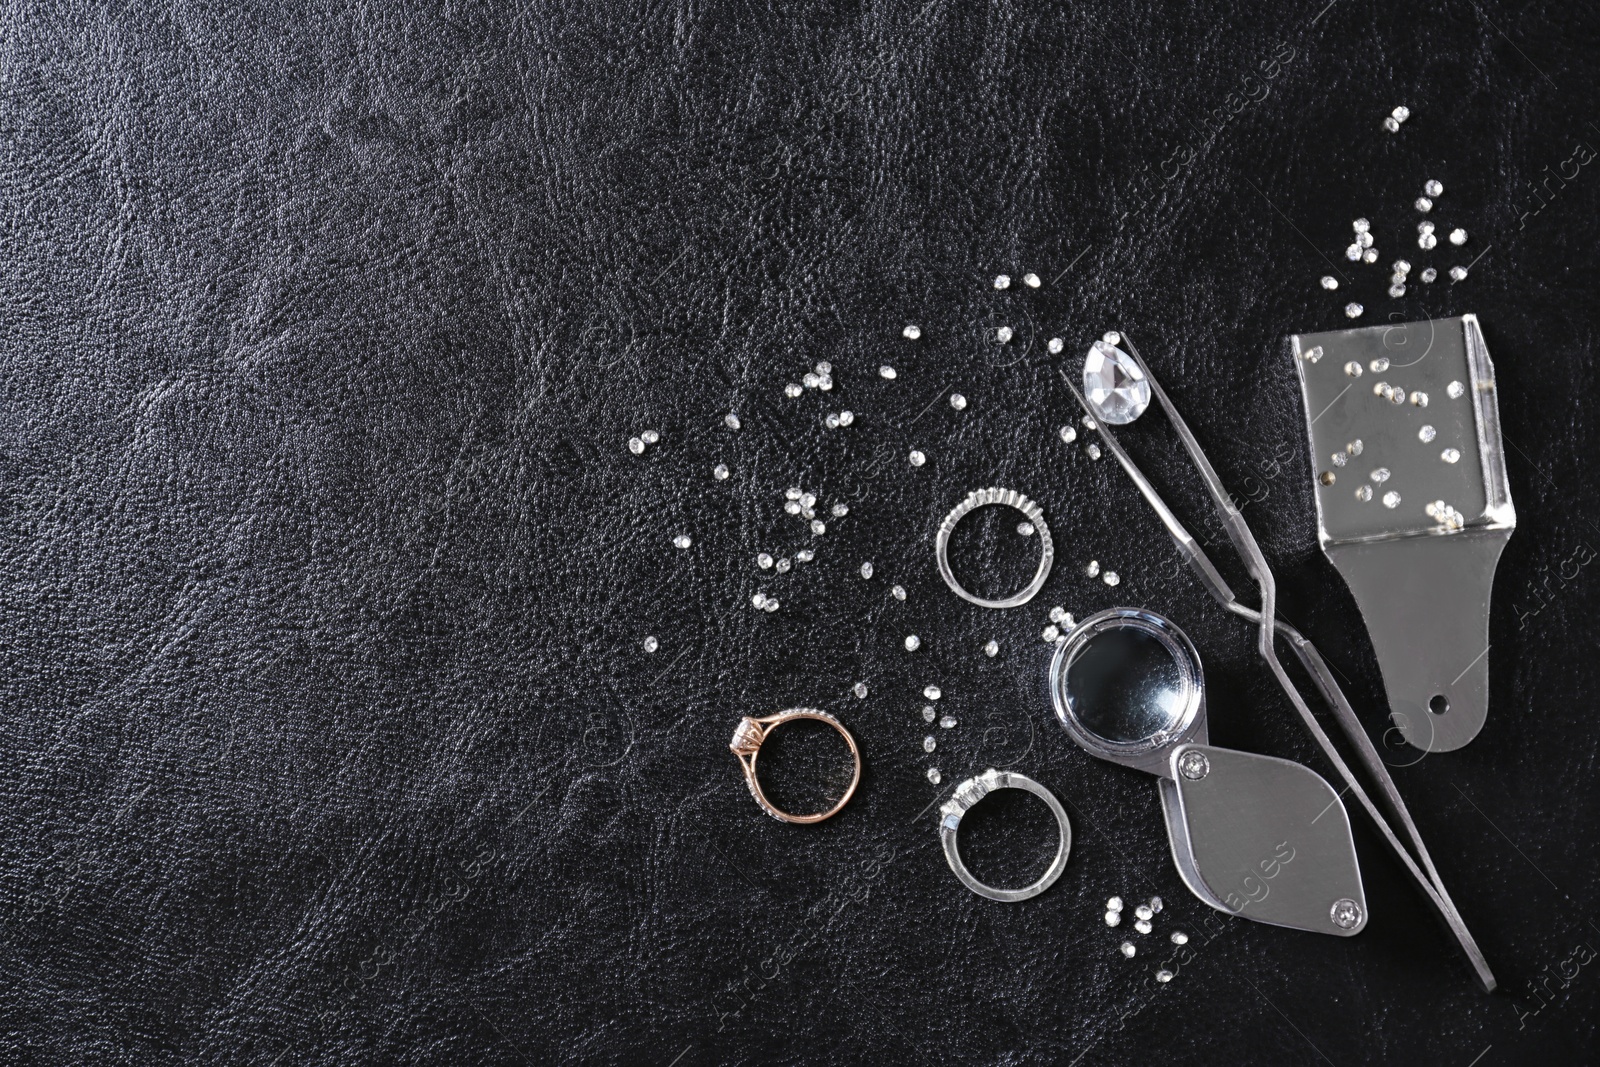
1124 685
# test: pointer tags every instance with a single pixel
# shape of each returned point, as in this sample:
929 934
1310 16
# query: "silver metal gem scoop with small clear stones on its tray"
1414 508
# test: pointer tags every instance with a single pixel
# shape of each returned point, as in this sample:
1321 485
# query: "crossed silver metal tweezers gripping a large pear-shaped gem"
1308 655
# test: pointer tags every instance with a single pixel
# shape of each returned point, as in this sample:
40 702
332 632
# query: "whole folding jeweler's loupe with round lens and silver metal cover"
1252 836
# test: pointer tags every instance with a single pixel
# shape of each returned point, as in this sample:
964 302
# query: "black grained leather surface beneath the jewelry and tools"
329 735
